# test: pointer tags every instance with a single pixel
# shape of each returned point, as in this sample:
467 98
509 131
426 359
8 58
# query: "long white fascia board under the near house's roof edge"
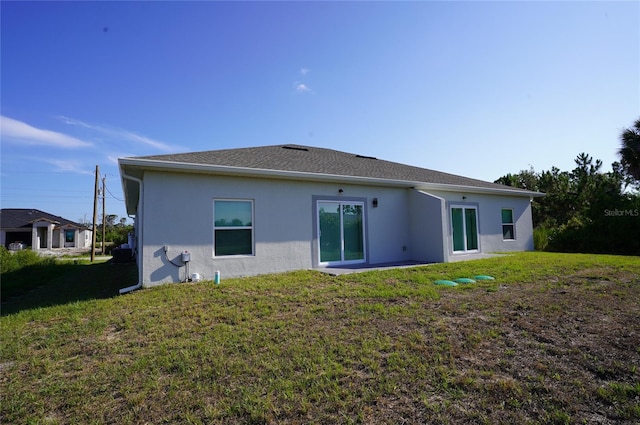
148 164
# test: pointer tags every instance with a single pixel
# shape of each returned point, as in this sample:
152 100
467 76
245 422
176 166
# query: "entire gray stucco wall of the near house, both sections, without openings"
177 211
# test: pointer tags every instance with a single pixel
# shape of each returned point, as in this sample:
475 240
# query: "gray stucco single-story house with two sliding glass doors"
277 208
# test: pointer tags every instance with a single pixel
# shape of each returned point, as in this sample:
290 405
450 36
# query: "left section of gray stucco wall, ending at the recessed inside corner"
178 212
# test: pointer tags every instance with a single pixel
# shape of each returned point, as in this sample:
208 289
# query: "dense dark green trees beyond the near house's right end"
583 210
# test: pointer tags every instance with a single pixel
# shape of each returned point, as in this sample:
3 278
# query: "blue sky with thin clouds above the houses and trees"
479 89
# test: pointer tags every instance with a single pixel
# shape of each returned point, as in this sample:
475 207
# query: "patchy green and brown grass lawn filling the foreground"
555 339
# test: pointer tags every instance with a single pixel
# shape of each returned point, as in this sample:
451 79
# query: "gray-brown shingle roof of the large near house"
307 159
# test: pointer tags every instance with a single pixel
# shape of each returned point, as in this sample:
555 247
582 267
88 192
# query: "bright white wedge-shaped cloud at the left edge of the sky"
11 129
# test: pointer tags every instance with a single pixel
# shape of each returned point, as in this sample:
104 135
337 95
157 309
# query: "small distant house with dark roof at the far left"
40 230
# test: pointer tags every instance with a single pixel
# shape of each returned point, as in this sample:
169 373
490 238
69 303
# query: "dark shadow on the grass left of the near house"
63 283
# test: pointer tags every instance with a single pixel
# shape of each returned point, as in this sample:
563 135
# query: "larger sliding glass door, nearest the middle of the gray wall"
341 232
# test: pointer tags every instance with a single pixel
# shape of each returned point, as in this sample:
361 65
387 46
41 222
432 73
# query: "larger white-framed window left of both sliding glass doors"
232 227
